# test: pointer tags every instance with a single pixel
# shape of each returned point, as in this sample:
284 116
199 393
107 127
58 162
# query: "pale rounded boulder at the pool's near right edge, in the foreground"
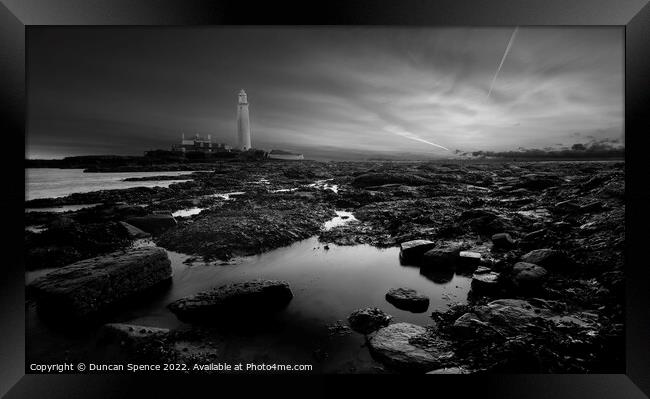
394 346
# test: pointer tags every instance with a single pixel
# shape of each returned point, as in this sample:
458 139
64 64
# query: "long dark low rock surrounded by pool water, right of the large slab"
236 299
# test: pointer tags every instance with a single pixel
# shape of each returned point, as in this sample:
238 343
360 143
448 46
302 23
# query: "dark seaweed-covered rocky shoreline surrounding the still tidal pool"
542 242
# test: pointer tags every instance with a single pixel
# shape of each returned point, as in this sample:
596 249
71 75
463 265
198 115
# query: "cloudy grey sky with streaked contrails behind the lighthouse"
326 90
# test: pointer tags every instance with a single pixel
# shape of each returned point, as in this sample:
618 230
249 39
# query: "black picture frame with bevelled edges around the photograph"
17 15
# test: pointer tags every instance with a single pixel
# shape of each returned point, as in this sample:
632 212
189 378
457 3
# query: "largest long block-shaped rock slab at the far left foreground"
94 284
